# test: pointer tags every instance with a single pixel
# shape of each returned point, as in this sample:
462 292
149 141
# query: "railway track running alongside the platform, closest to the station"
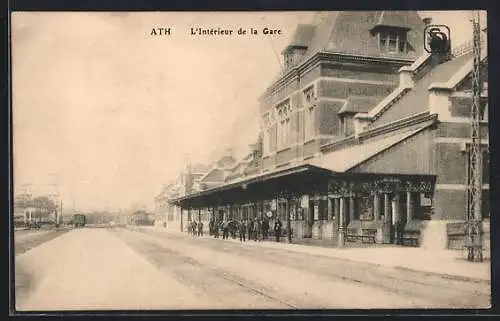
439 291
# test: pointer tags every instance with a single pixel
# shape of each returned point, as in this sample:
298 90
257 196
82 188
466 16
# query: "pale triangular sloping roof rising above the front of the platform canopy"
344 159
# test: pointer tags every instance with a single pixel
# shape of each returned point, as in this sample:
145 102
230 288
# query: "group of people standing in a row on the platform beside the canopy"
251 229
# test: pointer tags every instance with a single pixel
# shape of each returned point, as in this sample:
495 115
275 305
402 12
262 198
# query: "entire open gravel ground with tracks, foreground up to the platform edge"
98 269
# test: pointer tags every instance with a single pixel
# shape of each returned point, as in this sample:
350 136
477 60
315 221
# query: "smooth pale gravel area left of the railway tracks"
90 269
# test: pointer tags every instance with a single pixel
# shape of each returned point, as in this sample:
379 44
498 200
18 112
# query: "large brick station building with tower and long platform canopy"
364 127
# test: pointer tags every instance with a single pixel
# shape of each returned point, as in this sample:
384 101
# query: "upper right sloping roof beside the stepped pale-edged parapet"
417 99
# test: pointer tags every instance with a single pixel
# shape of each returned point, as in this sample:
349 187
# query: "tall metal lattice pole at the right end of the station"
474 241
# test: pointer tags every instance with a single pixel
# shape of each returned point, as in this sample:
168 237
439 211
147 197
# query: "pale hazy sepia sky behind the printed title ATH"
104 113
